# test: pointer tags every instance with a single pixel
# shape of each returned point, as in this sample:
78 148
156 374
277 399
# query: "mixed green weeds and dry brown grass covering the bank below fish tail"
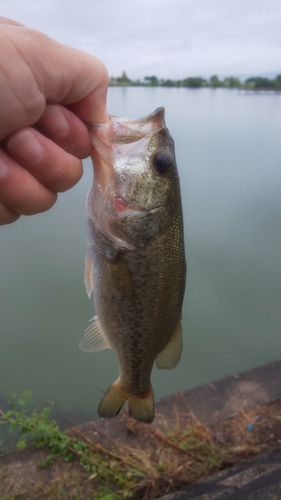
169 459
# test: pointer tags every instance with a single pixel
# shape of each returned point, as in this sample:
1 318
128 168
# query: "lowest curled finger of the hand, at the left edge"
20 192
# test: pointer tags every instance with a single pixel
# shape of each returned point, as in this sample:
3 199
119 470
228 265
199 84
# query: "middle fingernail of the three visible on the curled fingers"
24 145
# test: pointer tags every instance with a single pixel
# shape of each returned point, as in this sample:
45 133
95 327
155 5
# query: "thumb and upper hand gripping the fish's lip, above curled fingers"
39 70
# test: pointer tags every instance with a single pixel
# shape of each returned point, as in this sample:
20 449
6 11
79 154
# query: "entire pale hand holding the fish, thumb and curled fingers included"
48 91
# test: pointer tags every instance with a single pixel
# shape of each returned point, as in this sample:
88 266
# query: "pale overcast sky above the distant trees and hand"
167 38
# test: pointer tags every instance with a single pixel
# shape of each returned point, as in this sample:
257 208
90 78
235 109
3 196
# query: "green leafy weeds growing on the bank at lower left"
38 430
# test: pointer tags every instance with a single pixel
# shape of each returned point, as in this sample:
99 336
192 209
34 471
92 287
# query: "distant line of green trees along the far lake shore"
255 82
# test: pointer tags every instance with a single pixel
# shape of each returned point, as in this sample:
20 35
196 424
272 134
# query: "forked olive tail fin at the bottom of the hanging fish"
140 408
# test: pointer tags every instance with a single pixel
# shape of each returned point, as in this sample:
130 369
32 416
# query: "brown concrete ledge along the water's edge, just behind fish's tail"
208 403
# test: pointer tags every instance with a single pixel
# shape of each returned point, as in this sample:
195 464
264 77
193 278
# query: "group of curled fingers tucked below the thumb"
35 167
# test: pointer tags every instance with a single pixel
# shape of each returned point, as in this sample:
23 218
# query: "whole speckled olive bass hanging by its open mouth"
135 266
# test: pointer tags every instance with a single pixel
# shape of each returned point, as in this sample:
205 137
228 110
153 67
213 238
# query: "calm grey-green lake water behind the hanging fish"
229 158
